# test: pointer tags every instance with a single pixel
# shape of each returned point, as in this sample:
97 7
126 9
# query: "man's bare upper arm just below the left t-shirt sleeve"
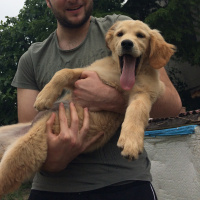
25 101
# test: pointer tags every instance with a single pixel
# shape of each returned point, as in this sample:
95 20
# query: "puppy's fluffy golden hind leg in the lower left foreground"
23 158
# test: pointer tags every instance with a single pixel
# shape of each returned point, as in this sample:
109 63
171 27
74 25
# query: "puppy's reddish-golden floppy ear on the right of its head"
160 50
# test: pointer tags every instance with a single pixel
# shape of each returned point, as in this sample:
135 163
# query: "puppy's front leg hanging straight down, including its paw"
136 119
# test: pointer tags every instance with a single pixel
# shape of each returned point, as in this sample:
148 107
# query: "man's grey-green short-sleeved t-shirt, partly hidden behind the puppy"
89 171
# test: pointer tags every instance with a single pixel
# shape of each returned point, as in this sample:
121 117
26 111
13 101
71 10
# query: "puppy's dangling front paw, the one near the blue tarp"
131 143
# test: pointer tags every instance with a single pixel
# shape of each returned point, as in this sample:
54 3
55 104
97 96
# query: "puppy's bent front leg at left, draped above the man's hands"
64 78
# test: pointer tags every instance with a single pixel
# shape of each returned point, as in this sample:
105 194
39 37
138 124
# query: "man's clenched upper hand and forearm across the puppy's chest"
91 92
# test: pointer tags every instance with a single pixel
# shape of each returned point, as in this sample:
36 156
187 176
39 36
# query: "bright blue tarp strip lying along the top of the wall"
183 130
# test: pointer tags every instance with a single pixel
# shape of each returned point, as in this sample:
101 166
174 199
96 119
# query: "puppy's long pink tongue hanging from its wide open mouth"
127 78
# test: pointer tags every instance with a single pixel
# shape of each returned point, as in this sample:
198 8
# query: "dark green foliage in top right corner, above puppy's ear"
179 22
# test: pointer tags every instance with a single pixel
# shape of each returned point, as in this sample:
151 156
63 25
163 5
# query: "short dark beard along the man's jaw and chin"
64 22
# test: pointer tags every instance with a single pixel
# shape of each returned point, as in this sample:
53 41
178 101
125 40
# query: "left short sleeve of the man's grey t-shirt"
25 76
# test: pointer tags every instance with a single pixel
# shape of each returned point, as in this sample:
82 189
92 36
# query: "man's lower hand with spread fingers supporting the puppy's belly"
66 146
